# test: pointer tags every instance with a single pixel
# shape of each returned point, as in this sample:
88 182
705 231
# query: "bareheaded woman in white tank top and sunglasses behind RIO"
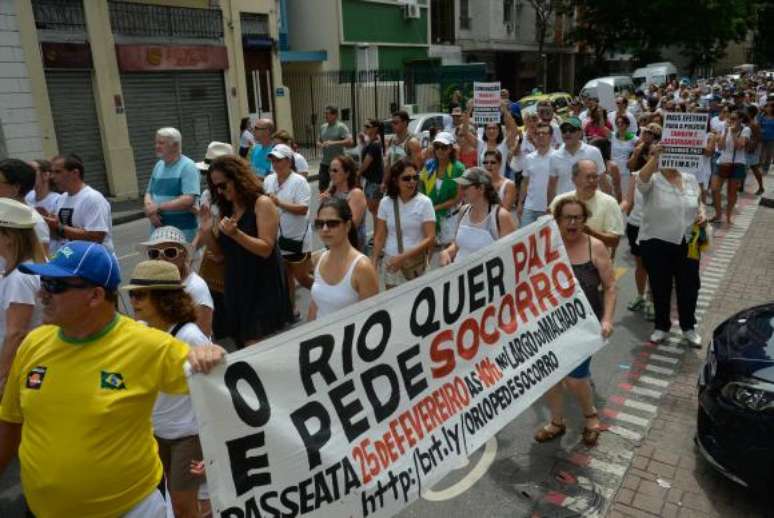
342 276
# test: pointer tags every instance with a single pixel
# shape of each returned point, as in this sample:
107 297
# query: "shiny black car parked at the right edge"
735 429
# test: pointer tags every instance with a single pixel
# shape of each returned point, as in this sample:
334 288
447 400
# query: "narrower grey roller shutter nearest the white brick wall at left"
76 123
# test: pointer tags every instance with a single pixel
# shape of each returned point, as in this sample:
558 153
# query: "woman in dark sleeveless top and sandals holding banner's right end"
593 269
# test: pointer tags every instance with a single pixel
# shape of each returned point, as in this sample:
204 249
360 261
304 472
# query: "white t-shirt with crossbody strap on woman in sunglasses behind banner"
413 214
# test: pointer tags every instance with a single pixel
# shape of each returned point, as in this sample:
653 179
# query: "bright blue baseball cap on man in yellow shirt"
86 260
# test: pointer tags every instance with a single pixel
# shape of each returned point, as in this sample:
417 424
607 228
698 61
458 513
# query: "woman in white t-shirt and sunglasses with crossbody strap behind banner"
405 227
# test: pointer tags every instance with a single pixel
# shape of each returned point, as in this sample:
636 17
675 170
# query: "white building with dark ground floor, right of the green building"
502 34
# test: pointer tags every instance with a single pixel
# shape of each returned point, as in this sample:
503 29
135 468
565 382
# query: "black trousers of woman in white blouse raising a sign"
667 262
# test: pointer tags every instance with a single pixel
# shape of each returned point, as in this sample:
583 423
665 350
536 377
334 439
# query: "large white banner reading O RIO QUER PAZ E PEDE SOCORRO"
358 413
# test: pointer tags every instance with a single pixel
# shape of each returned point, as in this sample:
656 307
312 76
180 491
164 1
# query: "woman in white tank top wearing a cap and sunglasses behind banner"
482 220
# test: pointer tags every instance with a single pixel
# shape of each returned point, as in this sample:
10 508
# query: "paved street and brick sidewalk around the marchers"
645 465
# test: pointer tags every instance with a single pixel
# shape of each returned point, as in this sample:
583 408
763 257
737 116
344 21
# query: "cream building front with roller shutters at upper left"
102 76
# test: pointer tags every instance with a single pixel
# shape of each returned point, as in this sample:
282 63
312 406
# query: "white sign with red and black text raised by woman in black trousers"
682 140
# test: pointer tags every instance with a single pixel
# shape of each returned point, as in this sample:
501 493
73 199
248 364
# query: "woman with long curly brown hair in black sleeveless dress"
255 293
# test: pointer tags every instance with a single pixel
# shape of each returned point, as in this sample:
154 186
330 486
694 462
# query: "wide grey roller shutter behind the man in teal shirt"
193 102
